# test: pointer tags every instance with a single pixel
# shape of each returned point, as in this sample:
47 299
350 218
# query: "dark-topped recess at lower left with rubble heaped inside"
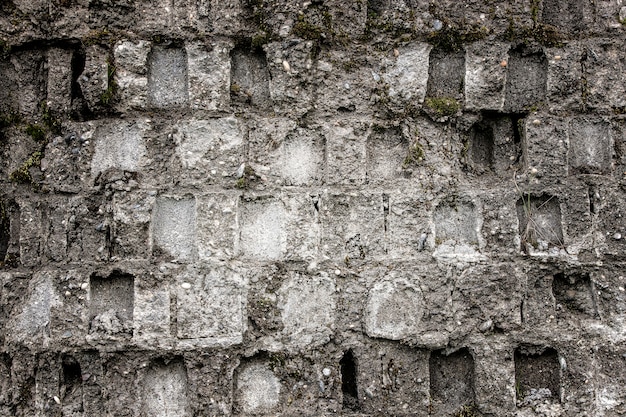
111 303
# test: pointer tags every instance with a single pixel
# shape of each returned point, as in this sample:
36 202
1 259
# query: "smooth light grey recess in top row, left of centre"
167 77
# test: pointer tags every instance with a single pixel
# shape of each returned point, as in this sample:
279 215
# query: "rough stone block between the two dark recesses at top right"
485 75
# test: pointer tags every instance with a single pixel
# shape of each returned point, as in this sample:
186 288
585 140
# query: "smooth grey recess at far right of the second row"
590 146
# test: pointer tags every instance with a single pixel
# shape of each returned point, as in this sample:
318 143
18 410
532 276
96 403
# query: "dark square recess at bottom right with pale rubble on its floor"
537 375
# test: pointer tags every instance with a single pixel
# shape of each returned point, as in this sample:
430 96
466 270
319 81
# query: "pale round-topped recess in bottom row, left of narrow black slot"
257 389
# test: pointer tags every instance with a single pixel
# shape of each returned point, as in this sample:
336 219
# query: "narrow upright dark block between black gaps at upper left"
60 79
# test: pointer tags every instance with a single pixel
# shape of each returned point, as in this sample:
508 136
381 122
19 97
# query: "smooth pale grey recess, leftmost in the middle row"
174 227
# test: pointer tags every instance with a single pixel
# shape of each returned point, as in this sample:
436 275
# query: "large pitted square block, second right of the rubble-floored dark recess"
221 291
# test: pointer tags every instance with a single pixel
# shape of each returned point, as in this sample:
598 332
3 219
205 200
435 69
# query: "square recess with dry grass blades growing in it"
540 221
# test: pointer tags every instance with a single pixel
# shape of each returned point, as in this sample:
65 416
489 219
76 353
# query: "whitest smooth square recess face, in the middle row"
262 233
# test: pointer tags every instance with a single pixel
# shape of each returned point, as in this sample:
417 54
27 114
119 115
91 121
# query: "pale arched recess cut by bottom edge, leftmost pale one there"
165 390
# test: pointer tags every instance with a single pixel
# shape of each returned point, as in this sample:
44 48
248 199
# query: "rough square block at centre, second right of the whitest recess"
352 226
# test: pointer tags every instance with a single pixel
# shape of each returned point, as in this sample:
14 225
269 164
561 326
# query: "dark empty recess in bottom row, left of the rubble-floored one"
451 381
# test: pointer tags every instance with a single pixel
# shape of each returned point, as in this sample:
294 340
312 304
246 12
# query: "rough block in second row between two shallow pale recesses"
346 152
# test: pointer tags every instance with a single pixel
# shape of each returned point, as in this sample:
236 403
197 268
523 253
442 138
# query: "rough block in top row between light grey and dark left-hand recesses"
208 73
